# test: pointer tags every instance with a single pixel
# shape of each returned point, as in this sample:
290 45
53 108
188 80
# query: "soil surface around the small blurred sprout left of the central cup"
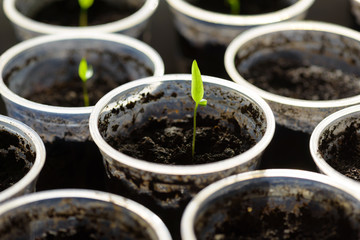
70 93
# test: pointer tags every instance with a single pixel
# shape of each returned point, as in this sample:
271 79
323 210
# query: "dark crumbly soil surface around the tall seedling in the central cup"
171 142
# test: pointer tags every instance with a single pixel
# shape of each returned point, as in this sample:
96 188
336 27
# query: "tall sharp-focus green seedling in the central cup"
197 93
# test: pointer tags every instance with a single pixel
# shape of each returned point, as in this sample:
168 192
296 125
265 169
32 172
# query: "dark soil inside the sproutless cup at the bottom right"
256 219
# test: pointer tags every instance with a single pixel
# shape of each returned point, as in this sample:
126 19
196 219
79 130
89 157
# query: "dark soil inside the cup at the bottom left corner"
60 220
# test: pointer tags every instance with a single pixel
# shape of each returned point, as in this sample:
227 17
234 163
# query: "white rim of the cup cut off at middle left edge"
34 139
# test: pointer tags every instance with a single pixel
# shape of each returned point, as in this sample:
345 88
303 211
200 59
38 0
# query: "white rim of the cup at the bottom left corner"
141 211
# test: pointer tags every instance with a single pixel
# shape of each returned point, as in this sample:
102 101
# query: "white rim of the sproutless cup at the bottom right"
189 215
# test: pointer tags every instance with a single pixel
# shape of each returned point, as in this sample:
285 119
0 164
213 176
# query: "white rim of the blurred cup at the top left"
25 22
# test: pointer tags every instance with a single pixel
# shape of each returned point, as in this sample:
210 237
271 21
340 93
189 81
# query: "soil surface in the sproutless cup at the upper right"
294 79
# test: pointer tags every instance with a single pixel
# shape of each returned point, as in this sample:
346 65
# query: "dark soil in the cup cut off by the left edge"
16 159
